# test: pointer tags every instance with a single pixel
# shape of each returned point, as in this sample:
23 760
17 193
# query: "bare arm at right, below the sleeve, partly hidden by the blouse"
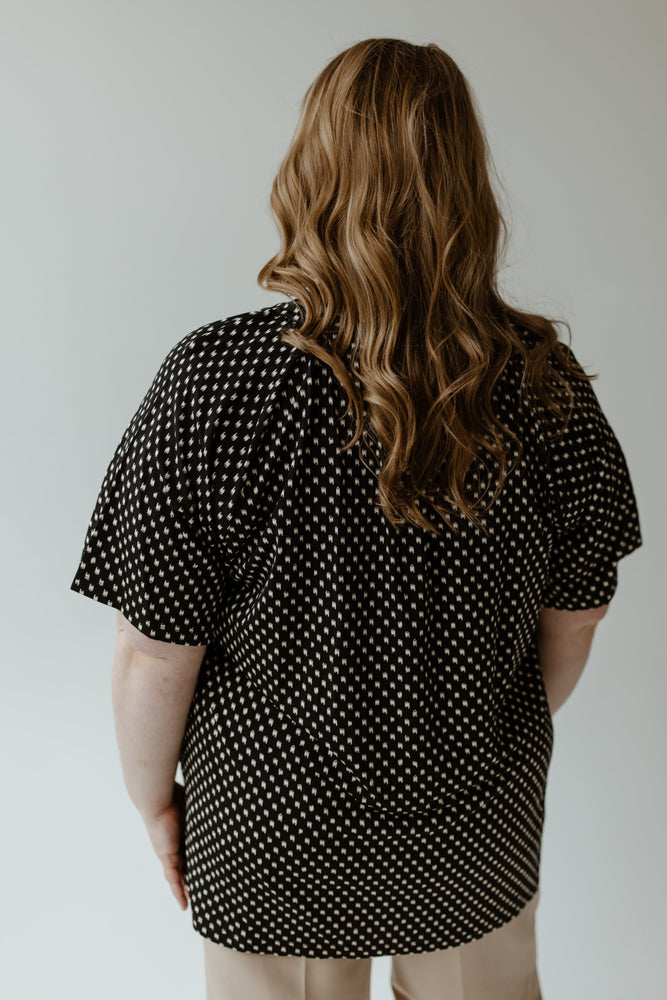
564 640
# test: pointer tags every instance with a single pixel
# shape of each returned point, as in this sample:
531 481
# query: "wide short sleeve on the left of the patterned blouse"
145 553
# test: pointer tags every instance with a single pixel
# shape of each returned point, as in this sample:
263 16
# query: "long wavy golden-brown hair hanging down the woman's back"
390 246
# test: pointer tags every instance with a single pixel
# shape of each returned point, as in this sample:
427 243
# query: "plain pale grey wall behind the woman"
140 143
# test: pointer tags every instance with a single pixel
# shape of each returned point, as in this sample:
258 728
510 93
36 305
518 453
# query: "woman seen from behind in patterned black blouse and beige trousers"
359 542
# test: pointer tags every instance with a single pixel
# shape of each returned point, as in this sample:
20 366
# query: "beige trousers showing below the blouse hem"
502 965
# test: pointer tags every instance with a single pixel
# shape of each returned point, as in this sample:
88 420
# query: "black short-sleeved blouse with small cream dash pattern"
366 753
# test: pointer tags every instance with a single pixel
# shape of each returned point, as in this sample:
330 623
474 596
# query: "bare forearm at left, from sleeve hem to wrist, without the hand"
151 699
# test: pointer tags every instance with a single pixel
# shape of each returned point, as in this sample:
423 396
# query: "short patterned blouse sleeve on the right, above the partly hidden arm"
592 507
